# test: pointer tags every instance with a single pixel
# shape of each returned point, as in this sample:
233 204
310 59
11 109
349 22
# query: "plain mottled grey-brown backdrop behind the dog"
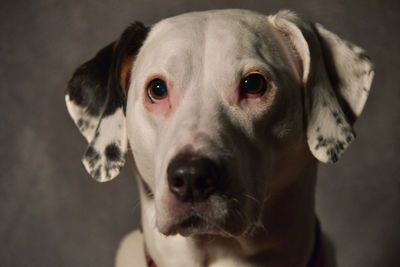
53 214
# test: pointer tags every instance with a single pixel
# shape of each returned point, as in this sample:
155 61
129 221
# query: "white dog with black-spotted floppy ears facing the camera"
225 115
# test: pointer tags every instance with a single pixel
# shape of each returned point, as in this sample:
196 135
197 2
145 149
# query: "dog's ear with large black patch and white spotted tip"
96 99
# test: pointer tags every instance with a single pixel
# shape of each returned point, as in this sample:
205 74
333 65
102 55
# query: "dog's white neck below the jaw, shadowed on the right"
285 238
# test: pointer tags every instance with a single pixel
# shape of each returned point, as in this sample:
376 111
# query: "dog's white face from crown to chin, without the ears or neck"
232 102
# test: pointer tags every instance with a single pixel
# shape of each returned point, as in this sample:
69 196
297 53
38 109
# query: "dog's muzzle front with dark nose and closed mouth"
199 199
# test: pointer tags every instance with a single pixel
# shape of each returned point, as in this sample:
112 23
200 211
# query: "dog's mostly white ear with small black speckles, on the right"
336 76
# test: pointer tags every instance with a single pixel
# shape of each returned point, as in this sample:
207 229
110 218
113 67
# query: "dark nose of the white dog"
193 179
